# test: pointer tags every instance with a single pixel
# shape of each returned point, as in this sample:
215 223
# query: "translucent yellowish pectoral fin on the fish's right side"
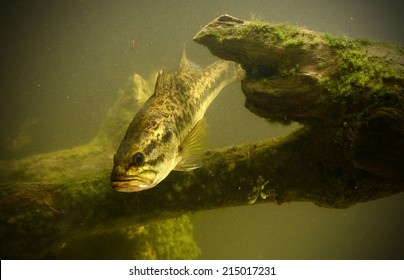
192 148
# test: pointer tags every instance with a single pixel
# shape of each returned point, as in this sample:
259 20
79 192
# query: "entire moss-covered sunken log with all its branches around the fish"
349 150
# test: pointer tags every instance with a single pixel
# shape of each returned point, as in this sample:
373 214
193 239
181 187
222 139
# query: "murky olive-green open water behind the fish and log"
63 63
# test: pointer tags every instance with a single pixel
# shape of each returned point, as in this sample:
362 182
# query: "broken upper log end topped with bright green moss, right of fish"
305 76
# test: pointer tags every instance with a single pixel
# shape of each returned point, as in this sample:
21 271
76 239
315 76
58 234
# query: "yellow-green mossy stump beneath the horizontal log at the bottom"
169 239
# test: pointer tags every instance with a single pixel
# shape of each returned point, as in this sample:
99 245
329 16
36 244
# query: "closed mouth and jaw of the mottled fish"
143 181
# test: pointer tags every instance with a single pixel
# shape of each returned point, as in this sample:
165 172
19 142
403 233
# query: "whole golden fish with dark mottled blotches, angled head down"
168 132
